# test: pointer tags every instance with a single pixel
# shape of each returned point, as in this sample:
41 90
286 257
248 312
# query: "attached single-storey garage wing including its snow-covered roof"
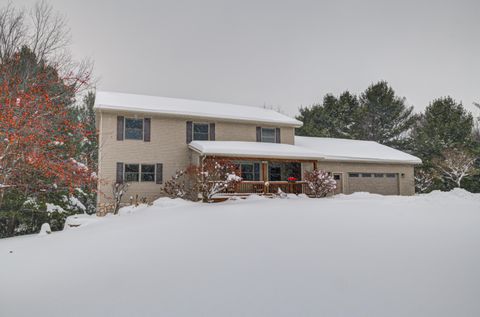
364 166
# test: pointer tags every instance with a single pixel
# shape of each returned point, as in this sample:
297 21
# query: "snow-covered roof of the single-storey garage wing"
332 149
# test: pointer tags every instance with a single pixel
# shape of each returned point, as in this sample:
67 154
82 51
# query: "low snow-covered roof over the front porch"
253 149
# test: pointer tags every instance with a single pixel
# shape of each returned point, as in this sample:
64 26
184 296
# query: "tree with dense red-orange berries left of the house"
38 136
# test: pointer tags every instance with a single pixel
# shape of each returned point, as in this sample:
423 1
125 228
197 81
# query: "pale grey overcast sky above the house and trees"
276 52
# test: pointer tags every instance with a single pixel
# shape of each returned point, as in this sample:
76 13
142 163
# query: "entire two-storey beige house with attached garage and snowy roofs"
144 140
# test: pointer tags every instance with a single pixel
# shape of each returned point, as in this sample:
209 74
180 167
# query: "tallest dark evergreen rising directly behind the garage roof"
384 117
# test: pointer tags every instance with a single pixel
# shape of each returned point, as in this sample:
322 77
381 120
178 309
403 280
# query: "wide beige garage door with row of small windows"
378 183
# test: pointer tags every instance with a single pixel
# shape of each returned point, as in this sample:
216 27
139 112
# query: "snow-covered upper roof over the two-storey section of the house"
190 108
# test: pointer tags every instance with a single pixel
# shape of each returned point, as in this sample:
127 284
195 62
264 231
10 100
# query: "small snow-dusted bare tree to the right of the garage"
455 165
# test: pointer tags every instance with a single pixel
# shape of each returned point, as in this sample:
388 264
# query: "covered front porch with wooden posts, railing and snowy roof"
265 168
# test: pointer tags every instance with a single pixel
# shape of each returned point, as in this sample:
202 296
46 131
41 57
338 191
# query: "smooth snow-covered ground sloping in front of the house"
358 255
